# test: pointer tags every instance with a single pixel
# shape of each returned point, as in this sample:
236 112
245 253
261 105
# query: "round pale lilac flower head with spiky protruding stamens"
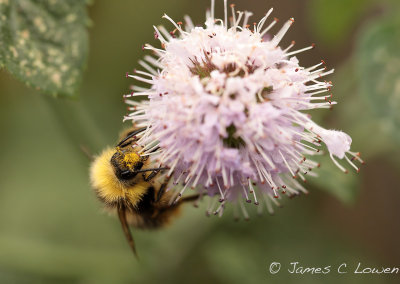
225 110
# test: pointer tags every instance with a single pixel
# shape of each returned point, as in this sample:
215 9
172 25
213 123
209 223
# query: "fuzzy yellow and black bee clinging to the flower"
125 182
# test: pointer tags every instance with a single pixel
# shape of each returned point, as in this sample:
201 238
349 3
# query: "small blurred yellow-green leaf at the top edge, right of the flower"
333 21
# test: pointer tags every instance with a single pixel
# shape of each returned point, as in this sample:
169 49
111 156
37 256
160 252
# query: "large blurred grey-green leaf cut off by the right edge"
378 64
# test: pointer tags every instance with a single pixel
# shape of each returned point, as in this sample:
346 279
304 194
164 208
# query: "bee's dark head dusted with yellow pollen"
126 162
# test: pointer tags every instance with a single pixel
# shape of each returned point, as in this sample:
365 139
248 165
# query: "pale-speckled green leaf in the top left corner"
44 43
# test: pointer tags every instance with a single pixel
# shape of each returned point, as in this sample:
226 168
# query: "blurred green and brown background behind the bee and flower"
53 230
